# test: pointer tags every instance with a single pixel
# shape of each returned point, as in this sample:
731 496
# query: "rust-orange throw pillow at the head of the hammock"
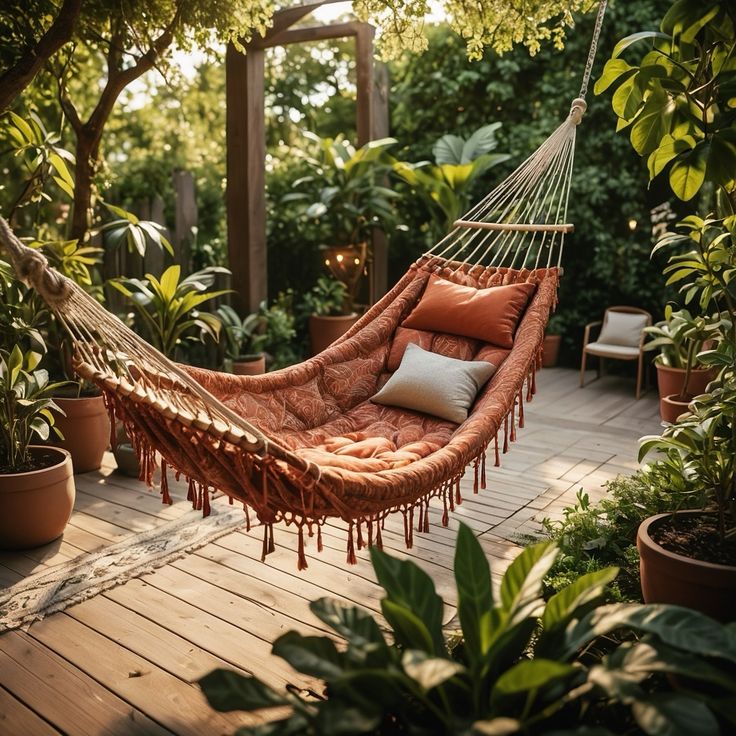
488 314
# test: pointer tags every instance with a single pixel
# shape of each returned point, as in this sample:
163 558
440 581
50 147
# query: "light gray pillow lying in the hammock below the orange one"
434 384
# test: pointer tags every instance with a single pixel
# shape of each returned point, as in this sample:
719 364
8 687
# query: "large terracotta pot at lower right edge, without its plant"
667 577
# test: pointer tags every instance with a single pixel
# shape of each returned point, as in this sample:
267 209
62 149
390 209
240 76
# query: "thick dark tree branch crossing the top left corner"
14 80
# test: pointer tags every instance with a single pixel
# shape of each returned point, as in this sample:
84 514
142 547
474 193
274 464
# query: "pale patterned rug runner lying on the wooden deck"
89 574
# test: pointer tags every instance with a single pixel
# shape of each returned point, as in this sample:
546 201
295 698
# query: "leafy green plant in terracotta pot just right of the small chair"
680 338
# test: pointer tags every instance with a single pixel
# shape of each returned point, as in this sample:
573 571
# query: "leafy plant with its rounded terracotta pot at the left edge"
36 481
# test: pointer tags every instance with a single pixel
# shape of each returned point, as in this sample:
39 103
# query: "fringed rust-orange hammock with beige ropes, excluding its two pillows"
305 443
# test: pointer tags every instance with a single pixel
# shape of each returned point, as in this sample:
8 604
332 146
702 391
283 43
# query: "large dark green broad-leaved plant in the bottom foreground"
518 665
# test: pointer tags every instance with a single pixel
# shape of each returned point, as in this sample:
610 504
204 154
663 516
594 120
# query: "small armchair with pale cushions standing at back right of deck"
621 338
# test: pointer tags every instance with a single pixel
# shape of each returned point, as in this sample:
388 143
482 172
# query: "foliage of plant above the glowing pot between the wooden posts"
344 194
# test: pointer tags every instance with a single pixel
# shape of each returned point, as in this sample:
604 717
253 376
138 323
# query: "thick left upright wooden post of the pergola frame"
246 180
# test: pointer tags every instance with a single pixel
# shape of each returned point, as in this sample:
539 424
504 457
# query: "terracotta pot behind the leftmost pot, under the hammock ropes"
86 430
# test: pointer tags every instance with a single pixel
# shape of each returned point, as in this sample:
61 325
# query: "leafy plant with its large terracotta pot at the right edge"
689 557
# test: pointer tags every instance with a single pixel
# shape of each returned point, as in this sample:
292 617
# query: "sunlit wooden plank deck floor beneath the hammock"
124 661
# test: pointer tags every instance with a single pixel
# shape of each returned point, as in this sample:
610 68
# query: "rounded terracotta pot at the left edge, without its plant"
37 504
